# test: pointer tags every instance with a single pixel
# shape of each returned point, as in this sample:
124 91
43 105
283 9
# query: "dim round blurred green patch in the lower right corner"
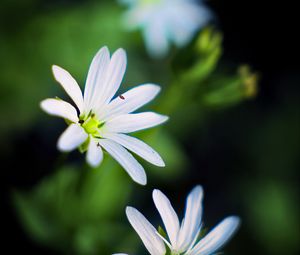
269 205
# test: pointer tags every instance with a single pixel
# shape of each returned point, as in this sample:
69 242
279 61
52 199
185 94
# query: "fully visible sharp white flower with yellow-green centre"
99 121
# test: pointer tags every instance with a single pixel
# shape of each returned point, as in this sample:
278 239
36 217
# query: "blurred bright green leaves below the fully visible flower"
78 211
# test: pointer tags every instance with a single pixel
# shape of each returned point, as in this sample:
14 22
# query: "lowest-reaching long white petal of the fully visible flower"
126 160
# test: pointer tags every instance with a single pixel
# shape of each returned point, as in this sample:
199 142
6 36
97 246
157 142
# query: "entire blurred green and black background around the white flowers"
233 97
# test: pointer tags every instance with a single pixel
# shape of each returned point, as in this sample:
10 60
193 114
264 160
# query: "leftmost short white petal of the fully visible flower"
59 108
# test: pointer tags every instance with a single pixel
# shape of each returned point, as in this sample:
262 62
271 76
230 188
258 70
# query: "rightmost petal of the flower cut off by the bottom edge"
216 238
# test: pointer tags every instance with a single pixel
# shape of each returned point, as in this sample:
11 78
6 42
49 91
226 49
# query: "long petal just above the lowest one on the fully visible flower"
138 147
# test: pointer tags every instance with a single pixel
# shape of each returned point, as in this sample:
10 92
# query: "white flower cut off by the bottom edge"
182 238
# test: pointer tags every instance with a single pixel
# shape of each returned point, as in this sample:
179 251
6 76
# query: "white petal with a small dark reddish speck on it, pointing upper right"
130 101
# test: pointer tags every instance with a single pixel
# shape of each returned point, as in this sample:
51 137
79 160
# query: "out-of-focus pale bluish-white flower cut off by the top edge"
166 21
